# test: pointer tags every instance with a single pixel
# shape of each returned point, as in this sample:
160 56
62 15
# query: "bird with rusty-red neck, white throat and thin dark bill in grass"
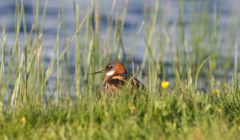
116 77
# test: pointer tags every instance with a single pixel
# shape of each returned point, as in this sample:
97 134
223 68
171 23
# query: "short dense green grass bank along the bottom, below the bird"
175 114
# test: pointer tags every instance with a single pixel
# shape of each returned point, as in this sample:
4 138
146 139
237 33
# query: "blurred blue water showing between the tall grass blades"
227 10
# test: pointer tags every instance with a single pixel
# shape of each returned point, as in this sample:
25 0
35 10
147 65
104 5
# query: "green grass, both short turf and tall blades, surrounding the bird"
201 102
